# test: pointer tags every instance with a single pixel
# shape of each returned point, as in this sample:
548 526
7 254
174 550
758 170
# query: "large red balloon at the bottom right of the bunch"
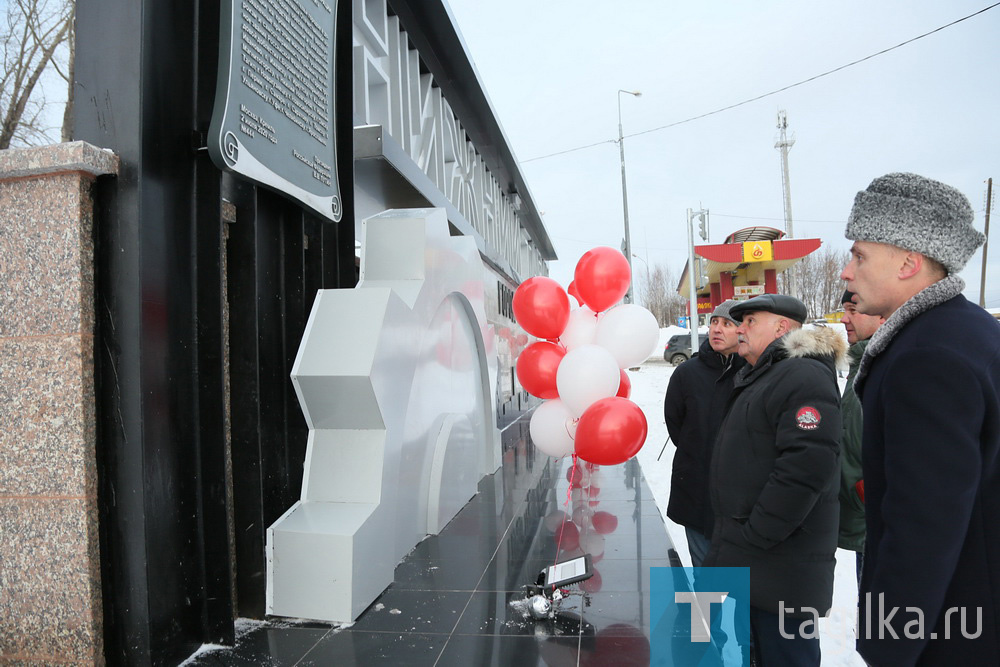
611 431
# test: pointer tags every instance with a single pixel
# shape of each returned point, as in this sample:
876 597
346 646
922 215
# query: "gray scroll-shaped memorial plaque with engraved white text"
273 120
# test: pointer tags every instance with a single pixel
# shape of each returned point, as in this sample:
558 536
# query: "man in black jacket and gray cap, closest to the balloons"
693 408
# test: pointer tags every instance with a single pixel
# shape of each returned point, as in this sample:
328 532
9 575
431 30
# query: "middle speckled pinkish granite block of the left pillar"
47 436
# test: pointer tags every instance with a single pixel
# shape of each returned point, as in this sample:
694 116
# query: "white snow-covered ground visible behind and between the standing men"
649 384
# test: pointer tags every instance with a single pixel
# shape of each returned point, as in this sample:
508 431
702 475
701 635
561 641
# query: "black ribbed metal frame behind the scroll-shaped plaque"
145 84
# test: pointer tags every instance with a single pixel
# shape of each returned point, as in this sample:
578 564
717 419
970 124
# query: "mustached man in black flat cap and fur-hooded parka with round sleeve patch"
775 474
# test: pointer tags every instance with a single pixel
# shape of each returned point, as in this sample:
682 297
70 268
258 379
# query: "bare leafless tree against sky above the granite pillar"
36 37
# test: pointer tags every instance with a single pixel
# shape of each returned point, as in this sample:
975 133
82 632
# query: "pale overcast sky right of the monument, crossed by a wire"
552 69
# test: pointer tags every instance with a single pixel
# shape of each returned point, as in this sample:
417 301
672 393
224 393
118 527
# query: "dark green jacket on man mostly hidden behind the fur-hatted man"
852 508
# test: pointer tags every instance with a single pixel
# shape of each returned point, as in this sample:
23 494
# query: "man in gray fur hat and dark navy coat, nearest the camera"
929 383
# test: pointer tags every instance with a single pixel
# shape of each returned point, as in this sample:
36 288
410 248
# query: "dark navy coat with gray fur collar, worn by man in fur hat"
931 460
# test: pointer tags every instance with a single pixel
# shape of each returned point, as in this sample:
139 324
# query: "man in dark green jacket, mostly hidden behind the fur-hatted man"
859 329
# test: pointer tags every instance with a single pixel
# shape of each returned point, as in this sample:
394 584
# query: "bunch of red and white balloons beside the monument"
578 367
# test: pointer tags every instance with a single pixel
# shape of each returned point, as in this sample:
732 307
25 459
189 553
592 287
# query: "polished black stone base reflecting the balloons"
451 600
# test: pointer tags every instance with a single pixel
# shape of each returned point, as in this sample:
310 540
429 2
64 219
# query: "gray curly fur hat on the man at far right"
917 214
